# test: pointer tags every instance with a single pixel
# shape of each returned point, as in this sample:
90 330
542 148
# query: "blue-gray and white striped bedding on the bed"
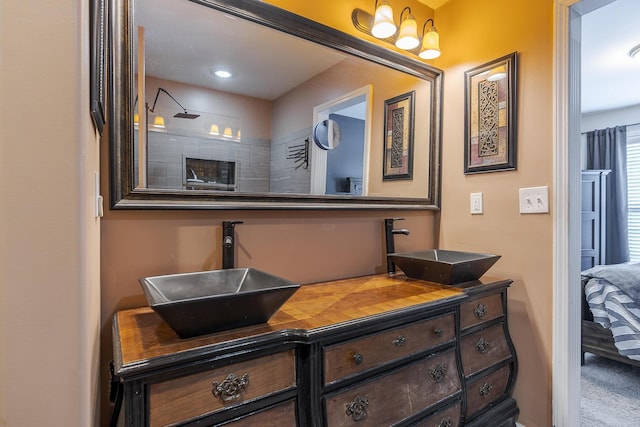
613 295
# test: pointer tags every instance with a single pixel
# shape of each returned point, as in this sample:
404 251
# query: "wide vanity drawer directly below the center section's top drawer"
396 396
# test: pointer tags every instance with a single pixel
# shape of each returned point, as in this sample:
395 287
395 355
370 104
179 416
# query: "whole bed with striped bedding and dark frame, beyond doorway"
611 312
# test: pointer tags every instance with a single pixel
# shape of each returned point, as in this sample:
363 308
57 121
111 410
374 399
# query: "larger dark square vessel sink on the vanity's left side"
210 301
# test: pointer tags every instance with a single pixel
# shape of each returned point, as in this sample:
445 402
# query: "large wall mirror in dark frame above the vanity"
223 104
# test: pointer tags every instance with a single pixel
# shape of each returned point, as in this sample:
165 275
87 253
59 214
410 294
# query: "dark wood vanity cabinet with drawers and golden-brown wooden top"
368 351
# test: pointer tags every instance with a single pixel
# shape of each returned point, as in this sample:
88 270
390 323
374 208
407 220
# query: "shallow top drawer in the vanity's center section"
358 355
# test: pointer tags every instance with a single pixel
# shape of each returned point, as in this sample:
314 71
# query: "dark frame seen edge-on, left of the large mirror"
98 53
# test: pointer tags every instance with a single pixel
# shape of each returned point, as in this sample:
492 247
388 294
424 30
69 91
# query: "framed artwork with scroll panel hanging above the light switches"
490 116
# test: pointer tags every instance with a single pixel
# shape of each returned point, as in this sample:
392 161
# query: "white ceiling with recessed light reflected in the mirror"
172 51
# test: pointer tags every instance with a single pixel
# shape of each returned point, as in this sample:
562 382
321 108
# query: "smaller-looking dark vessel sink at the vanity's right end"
442 266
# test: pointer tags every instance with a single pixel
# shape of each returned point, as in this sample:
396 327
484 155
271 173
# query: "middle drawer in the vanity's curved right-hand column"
483 348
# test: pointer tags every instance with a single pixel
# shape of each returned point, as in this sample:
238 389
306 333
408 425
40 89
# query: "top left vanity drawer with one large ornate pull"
198 394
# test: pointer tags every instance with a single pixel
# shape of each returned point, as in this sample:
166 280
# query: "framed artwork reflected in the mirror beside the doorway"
398 137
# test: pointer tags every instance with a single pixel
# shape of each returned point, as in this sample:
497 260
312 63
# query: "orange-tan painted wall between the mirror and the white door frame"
472 33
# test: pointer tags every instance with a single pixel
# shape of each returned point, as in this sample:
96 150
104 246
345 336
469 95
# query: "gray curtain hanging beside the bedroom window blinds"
607 149
